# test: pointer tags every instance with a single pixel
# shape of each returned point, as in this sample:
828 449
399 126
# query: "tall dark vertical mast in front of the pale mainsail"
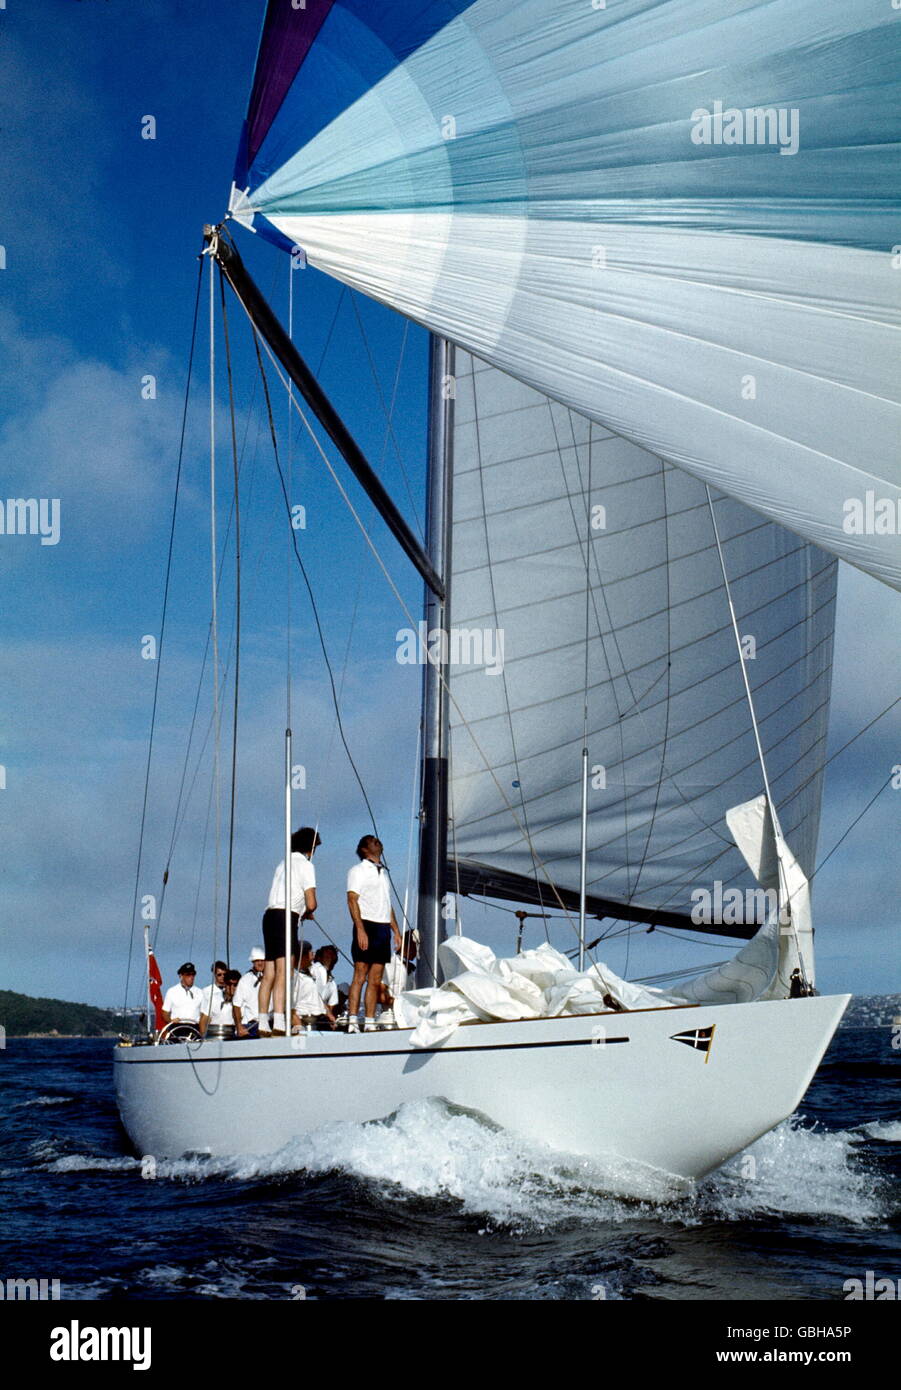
435 775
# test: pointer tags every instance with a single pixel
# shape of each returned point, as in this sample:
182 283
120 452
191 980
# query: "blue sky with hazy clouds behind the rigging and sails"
101 255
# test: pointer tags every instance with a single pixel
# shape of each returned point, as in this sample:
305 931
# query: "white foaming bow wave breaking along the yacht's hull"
437 1152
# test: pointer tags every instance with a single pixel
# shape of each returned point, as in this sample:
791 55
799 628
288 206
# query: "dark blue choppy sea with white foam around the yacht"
437 1203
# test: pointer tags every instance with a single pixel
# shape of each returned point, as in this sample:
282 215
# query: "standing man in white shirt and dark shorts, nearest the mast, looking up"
369 901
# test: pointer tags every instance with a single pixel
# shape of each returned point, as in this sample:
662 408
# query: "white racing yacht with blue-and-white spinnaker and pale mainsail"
654 256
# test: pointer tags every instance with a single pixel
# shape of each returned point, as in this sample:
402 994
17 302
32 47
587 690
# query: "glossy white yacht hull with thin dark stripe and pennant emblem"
599 1086
